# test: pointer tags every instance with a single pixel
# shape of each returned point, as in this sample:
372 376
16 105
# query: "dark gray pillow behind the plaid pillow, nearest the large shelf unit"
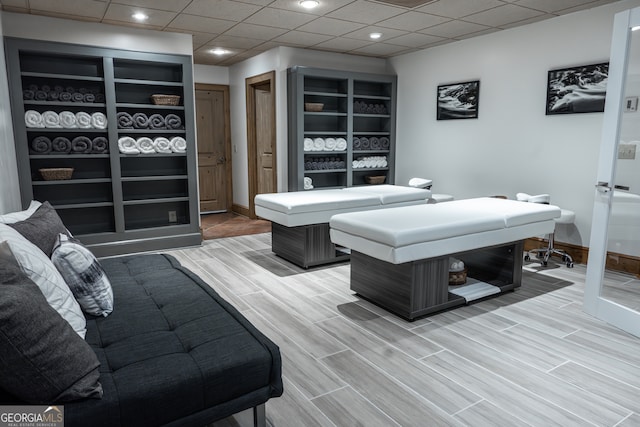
42 228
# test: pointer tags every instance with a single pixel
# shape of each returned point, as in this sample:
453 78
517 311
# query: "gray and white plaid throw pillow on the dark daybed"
84 275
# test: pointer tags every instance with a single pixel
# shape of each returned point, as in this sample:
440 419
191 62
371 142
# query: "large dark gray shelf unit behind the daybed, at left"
114 203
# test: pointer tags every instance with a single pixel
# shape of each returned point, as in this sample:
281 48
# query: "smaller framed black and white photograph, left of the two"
458 100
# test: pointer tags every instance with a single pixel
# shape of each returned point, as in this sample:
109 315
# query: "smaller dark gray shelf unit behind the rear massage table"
338 91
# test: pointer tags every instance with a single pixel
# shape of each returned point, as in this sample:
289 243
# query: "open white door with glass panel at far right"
615 297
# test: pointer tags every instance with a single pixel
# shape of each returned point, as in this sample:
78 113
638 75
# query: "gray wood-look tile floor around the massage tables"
527 358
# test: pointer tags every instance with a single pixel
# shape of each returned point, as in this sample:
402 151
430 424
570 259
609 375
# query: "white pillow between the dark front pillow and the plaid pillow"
41 270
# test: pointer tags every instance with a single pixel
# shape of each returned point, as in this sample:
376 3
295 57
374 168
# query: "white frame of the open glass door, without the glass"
611 312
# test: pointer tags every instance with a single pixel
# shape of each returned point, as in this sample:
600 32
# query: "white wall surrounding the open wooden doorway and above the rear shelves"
279 60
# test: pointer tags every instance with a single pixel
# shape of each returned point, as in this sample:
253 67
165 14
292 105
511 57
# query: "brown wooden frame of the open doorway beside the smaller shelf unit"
252 146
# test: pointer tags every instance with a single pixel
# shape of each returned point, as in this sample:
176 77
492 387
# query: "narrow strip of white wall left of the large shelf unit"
9 187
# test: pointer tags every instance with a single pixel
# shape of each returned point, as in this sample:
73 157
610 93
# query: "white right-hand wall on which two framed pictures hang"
513 146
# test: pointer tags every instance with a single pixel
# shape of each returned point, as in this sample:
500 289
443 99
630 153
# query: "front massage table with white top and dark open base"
400 257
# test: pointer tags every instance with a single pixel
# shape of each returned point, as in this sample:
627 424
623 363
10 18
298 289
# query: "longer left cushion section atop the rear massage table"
315 201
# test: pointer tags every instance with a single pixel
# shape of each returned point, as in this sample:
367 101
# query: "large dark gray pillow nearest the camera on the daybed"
42 359
